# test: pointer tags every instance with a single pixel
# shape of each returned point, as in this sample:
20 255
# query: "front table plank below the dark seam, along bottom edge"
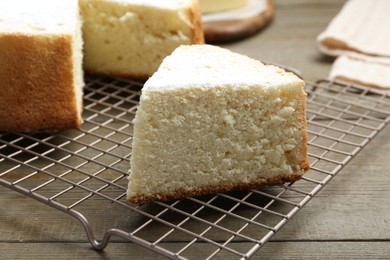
273 251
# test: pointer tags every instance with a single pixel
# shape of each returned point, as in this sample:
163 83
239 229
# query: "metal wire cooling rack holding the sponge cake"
83 173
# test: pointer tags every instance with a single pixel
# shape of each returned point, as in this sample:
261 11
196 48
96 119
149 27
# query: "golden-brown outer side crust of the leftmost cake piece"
37 90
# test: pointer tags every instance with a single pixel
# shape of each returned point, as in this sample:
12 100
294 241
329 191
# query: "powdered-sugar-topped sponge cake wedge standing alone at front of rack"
210 120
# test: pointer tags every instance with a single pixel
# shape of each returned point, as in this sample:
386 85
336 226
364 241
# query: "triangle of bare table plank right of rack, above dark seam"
355 206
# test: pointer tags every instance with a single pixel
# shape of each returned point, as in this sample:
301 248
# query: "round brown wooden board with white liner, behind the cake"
237 24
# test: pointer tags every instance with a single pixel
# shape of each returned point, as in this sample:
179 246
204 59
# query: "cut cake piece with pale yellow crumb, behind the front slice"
130 38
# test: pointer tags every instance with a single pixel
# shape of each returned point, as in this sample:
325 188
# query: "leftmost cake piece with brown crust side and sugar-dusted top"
41 76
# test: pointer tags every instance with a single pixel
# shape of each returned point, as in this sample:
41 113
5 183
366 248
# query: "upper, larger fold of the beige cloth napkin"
361 26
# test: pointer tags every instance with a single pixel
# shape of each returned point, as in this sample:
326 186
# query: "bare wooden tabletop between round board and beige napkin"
290 38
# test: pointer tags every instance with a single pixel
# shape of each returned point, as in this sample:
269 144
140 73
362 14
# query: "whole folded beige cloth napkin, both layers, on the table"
360 36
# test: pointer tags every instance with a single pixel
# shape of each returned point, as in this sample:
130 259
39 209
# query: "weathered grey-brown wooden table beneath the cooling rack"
348 219
